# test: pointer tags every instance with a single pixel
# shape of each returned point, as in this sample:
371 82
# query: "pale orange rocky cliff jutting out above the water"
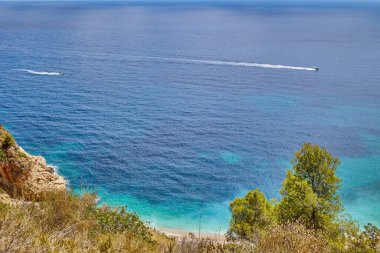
23 175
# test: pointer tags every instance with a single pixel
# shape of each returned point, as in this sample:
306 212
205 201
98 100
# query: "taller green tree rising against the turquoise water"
310 188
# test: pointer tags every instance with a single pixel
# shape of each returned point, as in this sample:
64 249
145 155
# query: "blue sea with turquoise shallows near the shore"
176 140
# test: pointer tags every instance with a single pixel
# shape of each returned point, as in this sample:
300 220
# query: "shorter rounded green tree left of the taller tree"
250 214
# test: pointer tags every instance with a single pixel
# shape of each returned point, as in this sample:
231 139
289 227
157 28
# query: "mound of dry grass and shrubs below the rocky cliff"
68 223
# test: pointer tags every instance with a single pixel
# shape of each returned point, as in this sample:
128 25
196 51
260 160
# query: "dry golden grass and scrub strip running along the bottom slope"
68 223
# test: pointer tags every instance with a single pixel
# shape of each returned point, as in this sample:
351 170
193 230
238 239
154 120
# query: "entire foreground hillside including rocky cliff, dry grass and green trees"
309 216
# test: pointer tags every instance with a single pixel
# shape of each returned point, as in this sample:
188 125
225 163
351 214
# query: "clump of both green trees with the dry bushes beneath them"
308 218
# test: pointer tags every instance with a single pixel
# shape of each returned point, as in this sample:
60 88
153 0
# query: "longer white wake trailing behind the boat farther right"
226 63
